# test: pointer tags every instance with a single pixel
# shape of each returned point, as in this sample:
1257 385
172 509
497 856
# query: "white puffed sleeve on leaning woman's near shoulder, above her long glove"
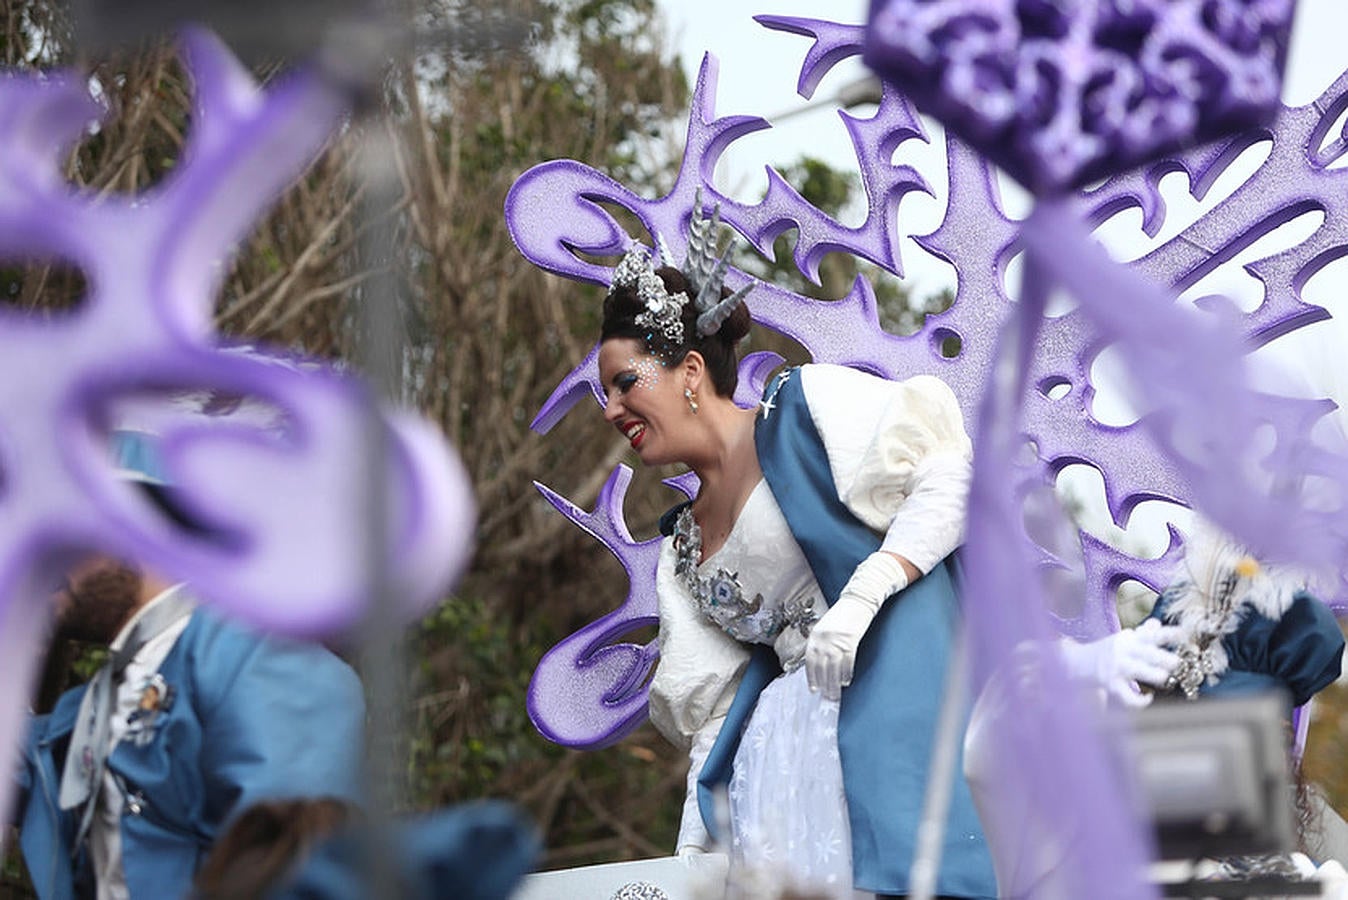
900 455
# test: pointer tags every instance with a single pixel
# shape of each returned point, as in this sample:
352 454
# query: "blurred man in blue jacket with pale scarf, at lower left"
130 779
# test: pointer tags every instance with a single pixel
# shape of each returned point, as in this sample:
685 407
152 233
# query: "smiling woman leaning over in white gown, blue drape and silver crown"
822 792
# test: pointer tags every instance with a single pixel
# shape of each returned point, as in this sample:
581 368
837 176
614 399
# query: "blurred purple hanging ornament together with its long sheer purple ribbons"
1060 95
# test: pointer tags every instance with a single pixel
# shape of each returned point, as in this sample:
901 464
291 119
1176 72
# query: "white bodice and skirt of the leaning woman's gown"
788 810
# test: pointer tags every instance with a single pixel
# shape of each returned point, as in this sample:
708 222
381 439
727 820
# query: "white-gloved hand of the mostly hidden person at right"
1118 662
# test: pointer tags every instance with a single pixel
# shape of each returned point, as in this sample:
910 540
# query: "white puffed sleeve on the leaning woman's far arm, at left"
700 665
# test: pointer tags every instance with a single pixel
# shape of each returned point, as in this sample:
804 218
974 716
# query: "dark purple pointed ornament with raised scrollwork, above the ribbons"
1063 94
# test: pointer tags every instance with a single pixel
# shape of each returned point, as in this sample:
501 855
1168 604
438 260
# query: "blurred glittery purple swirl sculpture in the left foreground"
288 502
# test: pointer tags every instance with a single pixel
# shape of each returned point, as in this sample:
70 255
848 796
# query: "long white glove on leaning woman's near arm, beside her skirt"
831 650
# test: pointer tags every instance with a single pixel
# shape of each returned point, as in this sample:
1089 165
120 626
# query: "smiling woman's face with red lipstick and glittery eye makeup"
644 399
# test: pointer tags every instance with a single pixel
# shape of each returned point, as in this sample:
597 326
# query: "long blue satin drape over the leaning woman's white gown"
888 719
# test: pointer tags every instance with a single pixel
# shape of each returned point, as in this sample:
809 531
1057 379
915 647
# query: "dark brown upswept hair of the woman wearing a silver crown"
622 307
